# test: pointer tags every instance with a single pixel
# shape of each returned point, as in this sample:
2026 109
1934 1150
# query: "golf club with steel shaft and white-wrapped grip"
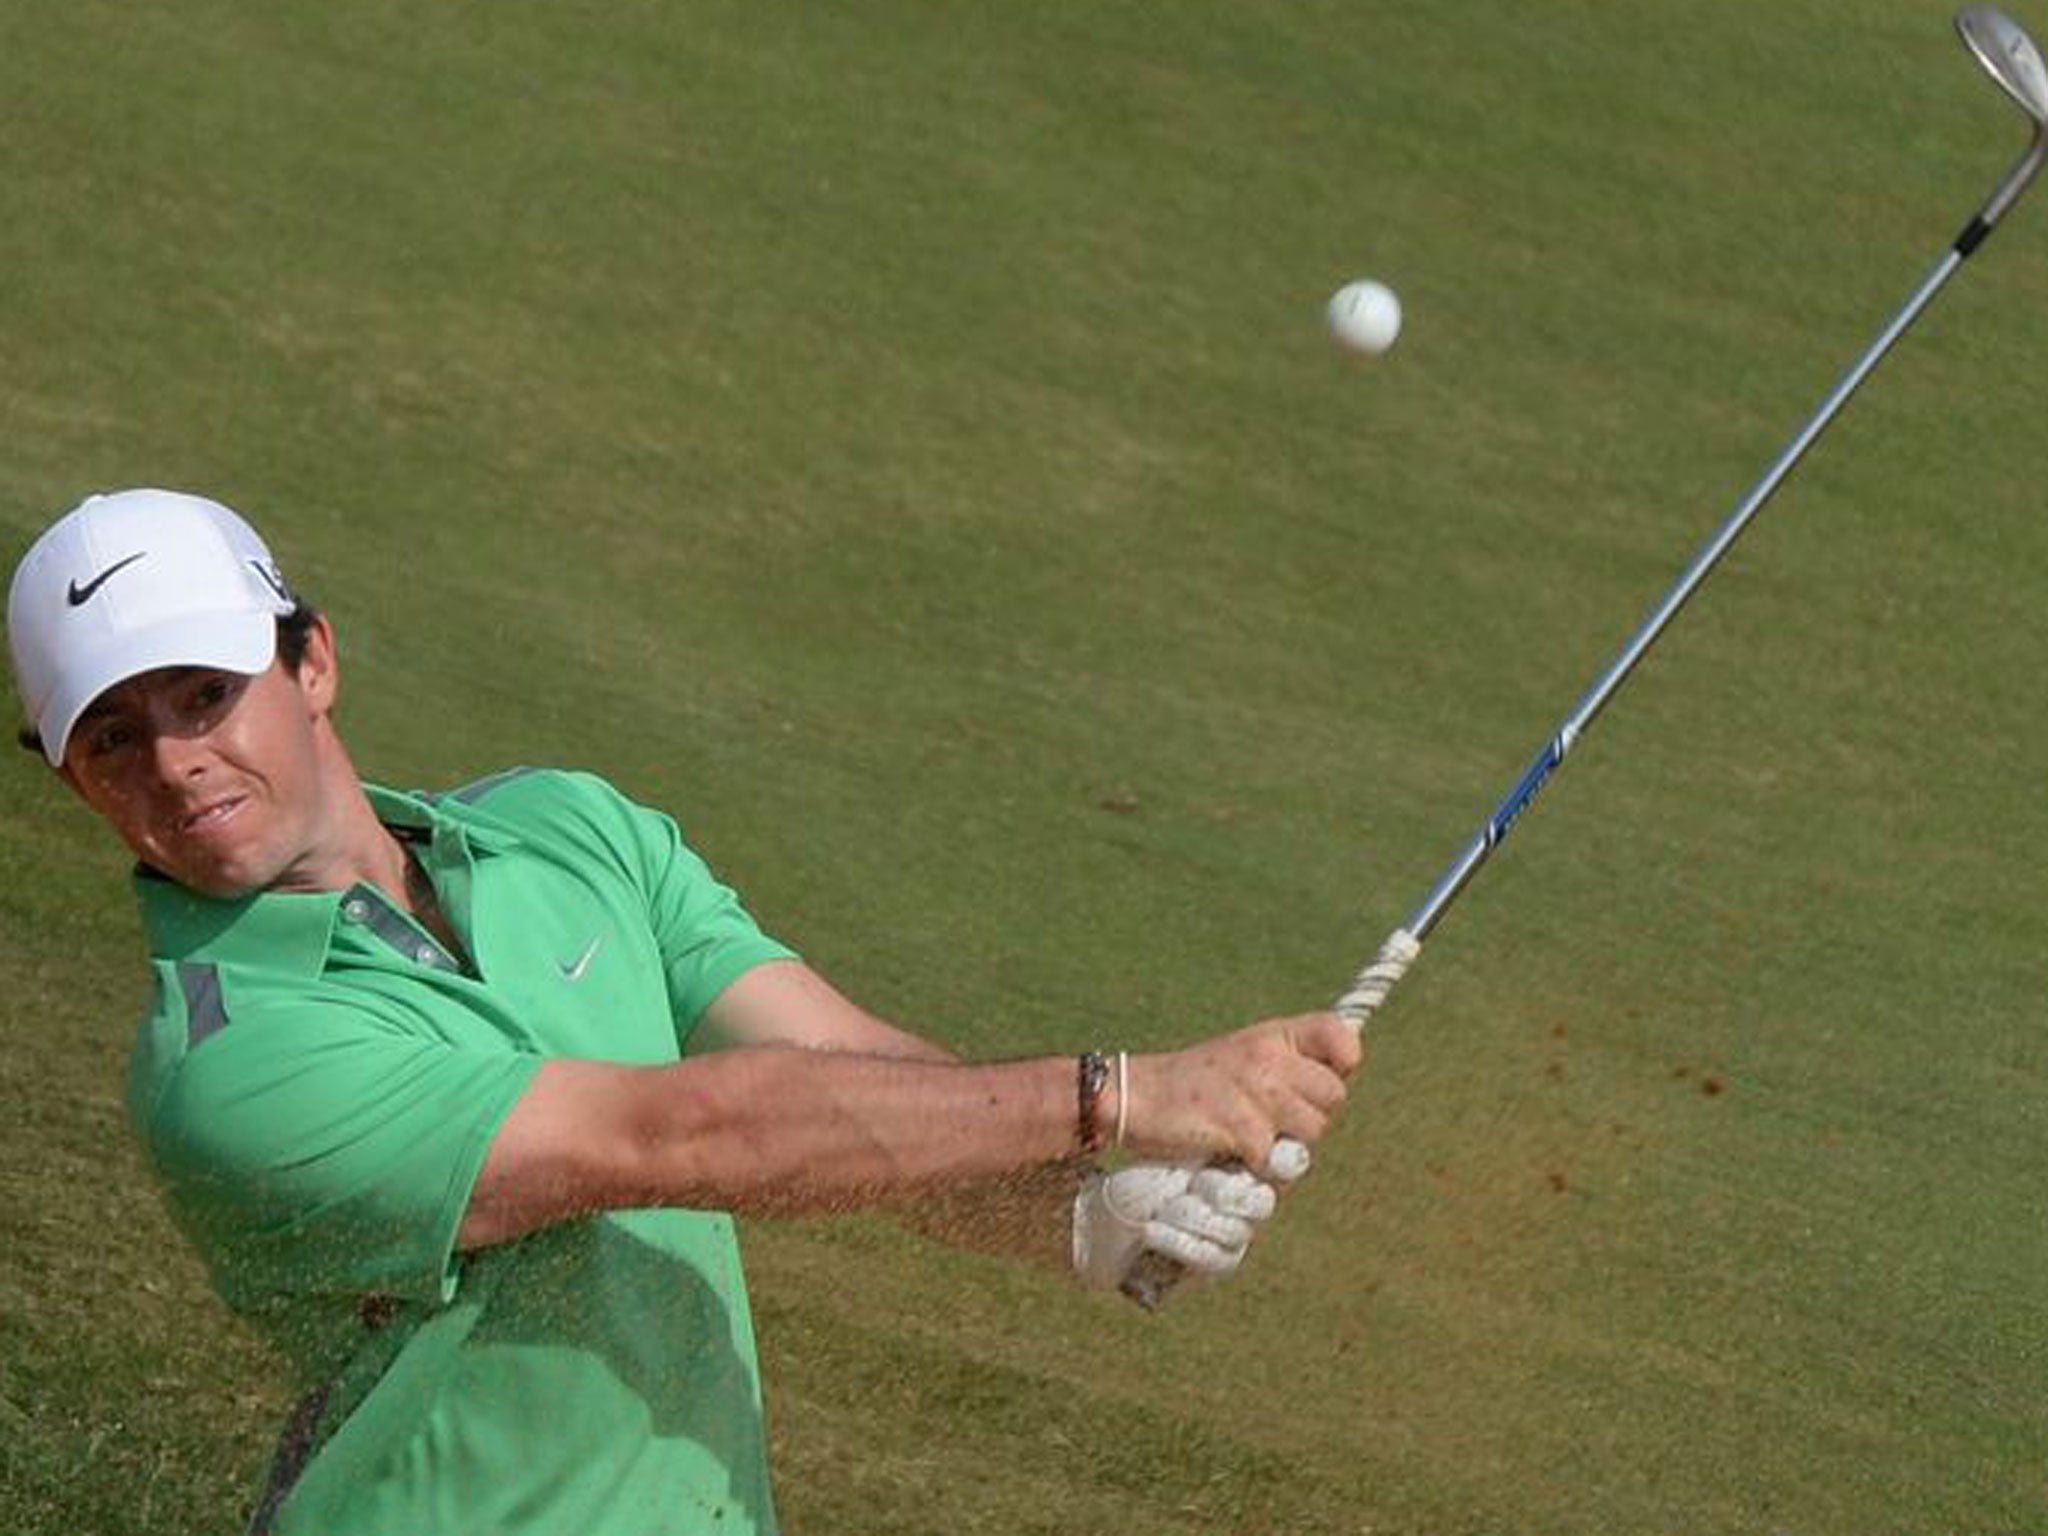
2006 50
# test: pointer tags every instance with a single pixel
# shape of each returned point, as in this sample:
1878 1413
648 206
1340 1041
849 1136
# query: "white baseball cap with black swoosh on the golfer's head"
130 583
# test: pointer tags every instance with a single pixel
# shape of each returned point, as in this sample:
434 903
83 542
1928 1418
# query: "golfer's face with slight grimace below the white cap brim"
212 777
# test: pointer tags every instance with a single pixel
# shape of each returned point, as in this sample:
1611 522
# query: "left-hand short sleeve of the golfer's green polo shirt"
323 1152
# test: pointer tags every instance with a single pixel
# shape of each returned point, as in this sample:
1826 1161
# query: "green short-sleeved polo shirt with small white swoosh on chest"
318 1084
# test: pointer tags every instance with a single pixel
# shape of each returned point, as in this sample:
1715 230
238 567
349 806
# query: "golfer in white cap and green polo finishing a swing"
458 1095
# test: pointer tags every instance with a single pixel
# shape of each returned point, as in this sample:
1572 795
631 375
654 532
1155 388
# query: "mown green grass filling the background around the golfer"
900 439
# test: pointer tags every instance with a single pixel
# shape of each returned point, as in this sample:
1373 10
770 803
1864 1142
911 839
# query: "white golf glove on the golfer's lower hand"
1197 1215
